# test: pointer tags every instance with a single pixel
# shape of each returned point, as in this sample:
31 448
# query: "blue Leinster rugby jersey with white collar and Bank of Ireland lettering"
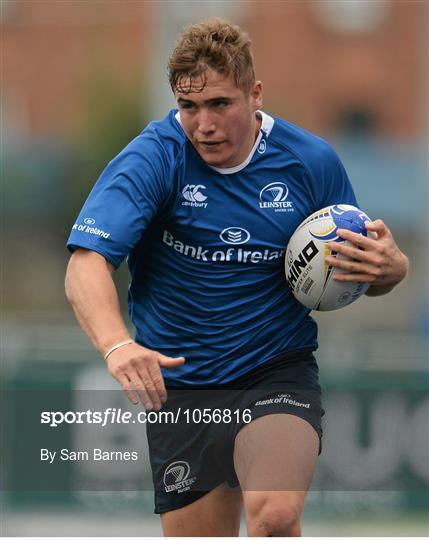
205 246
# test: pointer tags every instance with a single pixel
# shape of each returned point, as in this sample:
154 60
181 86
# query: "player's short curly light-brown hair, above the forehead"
213 44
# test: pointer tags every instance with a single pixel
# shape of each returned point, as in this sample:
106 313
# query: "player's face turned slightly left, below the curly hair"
220 120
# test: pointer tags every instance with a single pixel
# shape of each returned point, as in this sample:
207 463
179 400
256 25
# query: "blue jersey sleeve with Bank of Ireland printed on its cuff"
123 202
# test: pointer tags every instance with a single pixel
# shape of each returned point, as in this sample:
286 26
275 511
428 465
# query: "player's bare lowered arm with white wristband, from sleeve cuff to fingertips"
92 293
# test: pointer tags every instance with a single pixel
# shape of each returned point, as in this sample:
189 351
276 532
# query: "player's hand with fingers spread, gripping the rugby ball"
375 259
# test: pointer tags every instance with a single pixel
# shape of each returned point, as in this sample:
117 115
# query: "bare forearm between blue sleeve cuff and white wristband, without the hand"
93 296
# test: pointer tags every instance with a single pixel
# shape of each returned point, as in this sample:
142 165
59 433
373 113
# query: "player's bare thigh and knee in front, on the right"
274 458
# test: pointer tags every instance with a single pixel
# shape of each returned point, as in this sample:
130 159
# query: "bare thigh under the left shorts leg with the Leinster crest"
216 513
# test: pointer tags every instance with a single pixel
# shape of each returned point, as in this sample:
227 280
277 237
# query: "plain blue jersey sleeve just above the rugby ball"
332 185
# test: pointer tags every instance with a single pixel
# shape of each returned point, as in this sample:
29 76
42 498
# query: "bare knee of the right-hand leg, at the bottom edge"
275 518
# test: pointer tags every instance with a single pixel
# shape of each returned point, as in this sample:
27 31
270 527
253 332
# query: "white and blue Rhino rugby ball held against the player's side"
309 276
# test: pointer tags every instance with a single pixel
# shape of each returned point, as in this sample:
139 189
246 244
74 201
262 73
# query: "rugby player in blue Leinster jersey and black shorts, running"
202 205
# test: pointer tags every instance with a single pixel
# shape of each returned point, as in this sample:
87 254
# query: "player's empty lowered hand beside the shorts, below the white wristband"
137 369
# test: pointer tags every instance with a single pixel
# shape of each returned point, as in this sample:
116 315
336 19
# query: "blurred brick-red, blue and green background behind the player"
79 80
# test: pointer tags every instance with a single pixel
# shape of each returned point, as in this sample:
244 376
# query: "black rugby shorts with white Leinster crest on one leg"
191 449
